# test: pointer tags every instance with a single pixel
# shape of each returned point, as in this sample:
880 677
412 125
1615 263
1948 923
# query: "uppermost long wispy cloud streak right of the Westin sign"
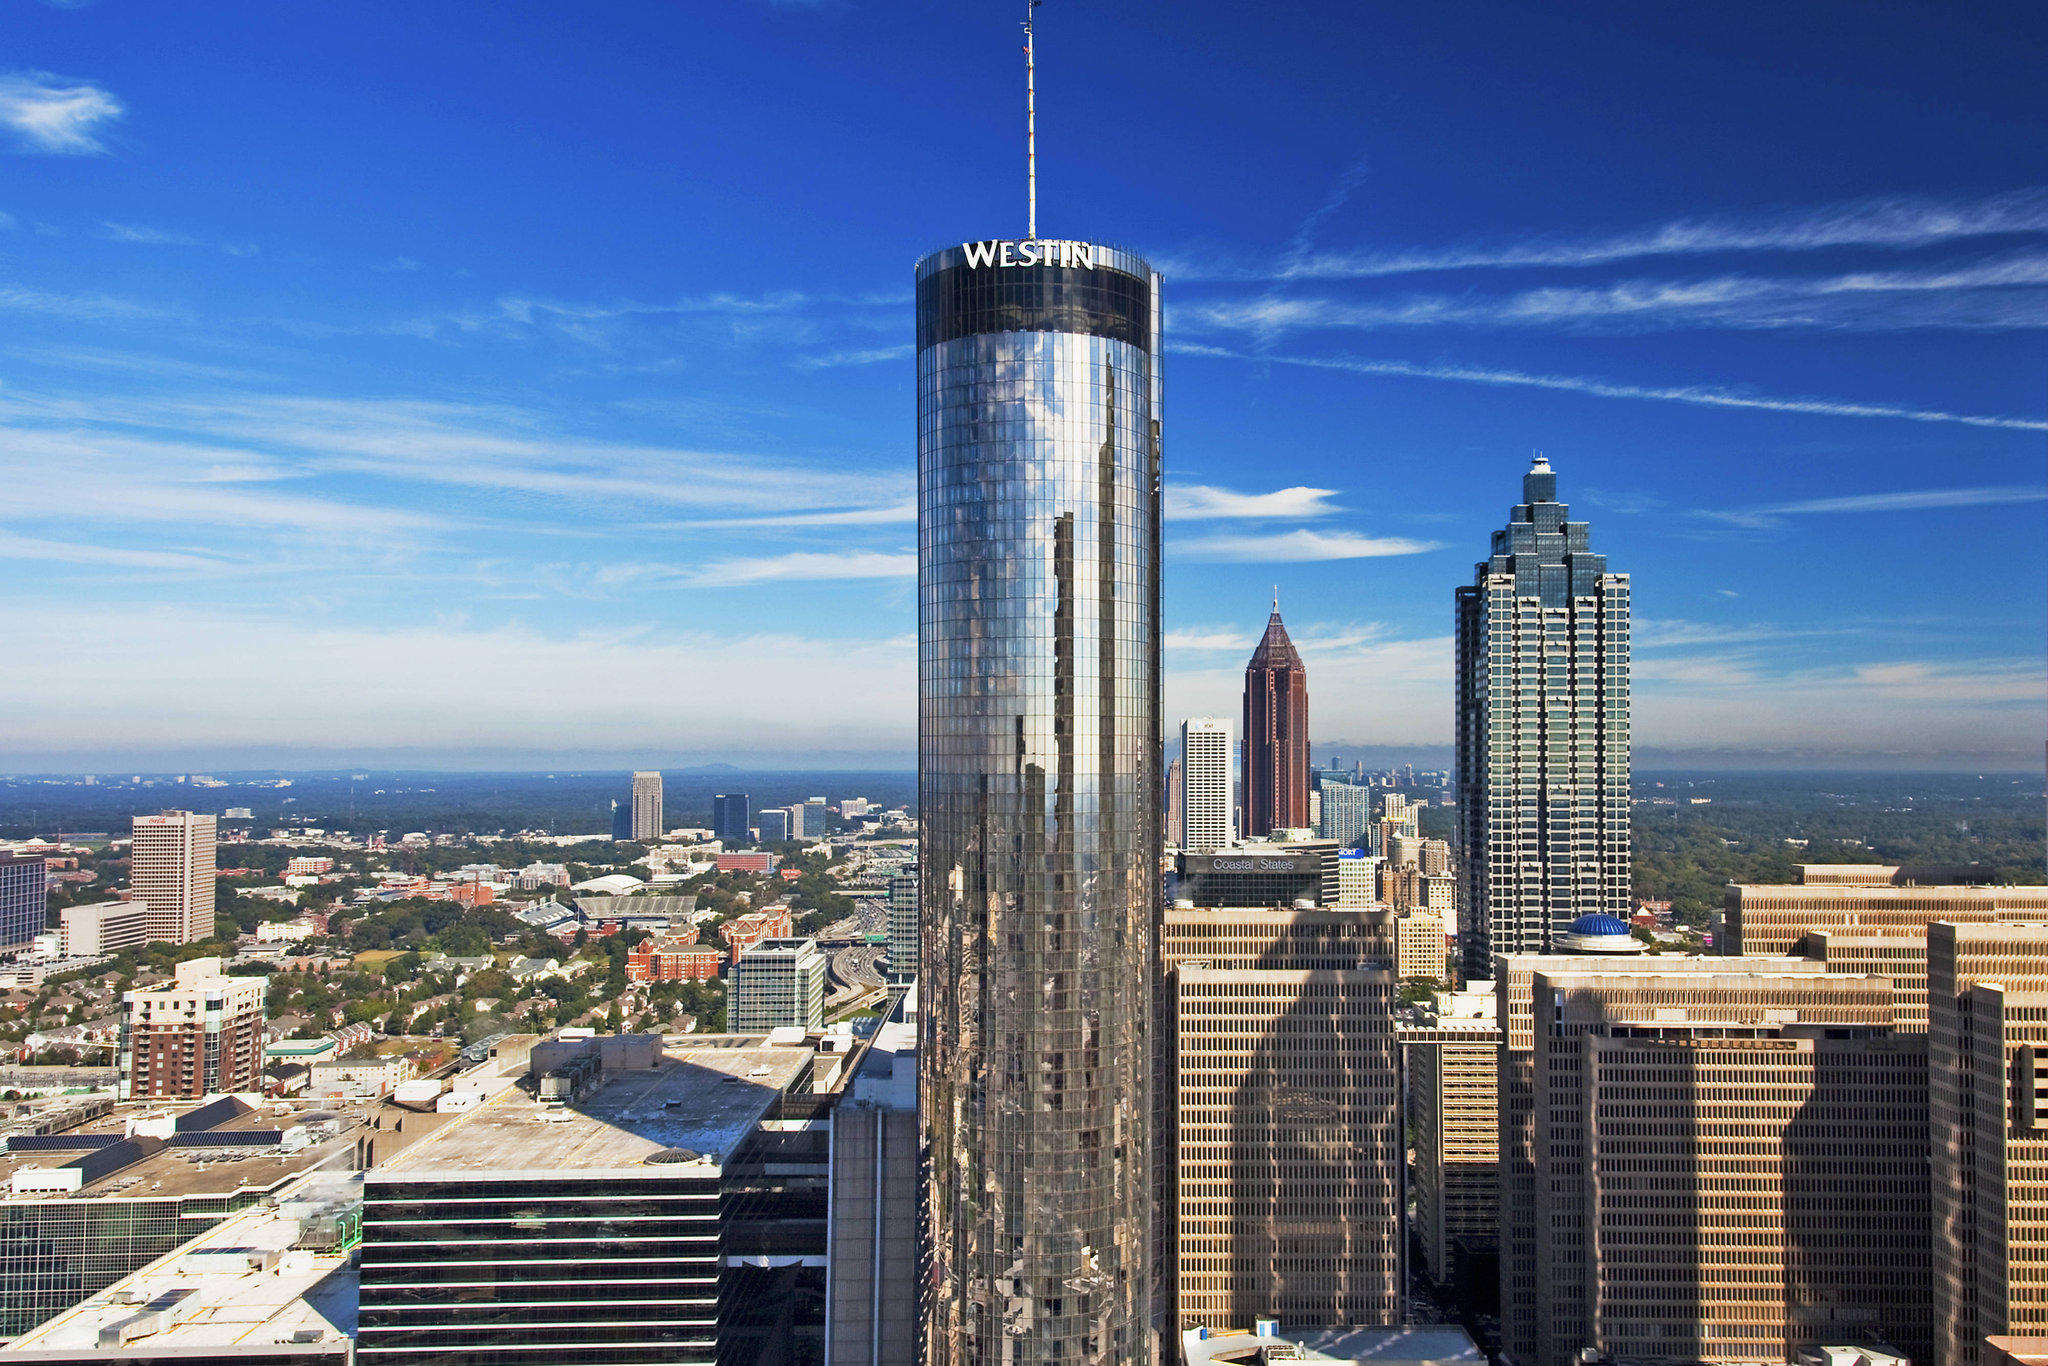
1887 224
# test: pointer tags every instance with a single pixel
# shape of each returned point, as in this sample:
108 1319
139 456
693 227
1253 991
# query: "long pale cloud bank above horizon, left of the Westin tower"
452 687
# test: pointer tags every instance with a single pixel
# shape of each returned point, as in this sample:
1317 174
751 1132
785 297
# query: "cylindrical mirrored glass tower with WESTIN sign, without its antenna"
1039 796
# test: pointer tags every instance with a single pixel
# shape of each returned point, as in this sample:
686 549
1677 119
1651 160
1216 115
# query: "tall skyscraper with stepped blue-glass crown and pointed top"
1543 732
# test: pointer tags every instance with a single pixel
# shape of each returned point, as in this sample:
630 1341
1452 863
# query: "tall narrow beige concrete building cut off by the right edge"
1988 1037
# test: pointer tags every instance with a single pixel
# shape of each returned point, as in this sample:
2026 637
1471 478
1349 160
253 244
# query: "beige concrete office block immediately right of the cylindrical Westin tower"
1283 1119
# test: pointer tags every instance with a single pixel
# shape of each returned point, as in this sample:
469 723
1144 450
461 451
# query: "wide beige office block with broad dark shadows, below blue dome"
1727 1166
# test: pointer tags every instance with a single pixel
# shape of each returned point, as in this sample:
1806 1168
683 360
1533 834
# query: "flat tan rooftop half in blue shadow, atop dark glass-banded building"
703 1097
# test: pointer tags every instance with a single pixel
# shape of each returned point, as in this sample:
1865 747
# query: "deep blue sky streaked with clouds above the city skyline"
501 384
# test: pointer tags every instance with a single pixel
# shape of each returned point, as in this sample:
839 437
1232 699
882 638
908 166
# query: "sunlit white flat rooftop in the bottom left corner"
267 1277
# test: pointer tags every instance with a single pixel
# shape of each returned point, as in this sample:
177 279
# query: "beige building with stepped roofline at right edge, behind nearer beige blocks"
1871 919
